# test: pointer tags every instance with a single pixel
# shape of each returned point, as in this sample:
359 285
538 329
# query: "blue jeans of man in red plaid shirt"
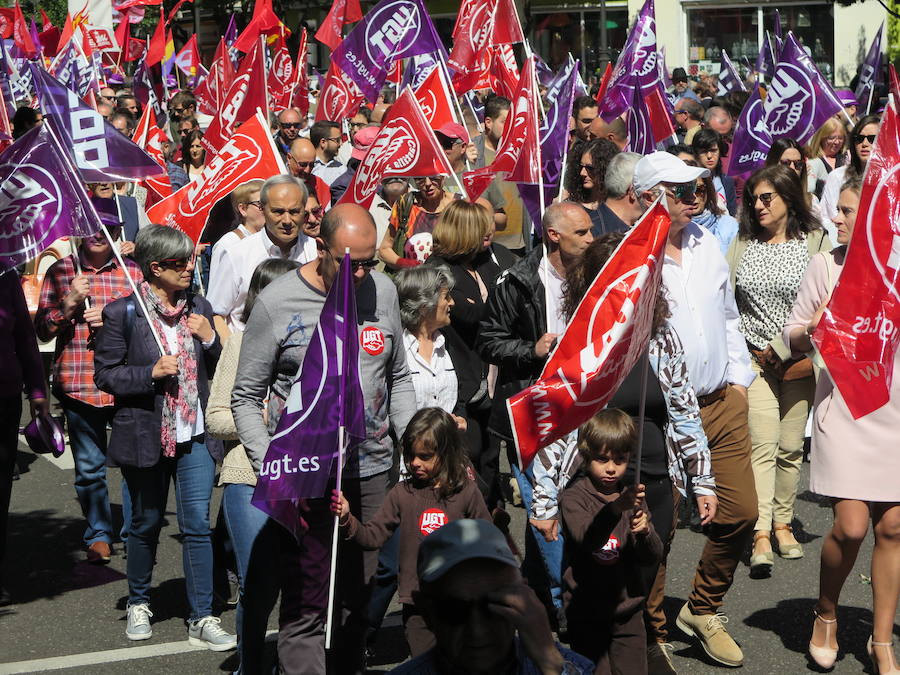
87 437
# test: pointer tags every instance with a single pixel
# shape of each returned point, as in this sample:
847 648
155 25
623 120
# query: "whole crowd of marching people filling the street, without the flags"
461 304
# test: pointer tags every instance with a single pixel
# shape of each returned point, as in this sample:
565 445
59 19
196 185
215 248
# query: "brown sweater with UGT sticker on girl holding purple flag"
417 511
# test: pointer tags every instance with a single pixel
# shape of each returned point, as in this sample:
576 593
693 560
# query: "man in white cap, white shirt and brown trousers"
705 317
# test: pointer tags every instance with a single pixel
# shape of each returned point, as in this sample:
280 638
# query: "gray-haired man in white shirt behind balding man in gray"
283 200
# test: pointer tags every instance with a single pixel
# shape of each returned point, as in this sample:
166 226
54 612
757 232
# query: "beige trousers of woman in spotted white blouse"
777 420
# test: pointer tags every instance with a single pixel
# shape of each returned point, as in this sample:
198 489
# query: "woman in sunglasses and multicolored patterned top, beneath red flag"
407 242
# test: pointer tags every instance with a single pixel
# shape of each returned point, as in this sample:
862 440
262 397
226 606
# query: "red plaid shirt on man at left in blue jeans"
73 362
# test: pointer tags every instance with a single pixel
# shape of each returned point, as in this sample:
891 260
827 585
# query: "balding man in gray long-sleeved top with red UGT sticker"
281 325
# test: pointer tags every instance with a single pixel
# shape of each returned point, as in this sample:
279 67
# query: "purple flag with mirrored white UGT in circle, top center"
392 29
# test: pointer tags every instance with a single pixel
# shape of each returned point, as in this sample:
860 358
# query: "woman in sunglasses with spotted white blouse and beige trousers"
777 237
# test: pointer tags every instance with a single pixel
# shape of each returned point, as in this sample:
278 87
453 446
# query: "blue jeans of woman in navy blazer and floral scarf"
193 470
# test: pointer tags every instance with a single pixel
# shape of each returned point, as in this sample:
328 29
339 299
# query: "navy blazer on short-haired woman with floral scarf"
123 365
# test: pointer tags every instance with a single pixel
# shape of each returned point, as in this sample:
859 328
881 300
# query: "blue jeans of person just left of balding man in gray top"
255 539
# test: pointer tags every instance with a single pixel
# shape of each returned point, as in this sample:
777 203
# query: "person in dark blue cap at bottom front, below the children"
484 617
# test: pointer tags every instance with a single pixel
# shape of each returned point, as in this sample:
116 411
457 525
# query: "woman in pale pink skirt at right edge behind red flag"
853 462
